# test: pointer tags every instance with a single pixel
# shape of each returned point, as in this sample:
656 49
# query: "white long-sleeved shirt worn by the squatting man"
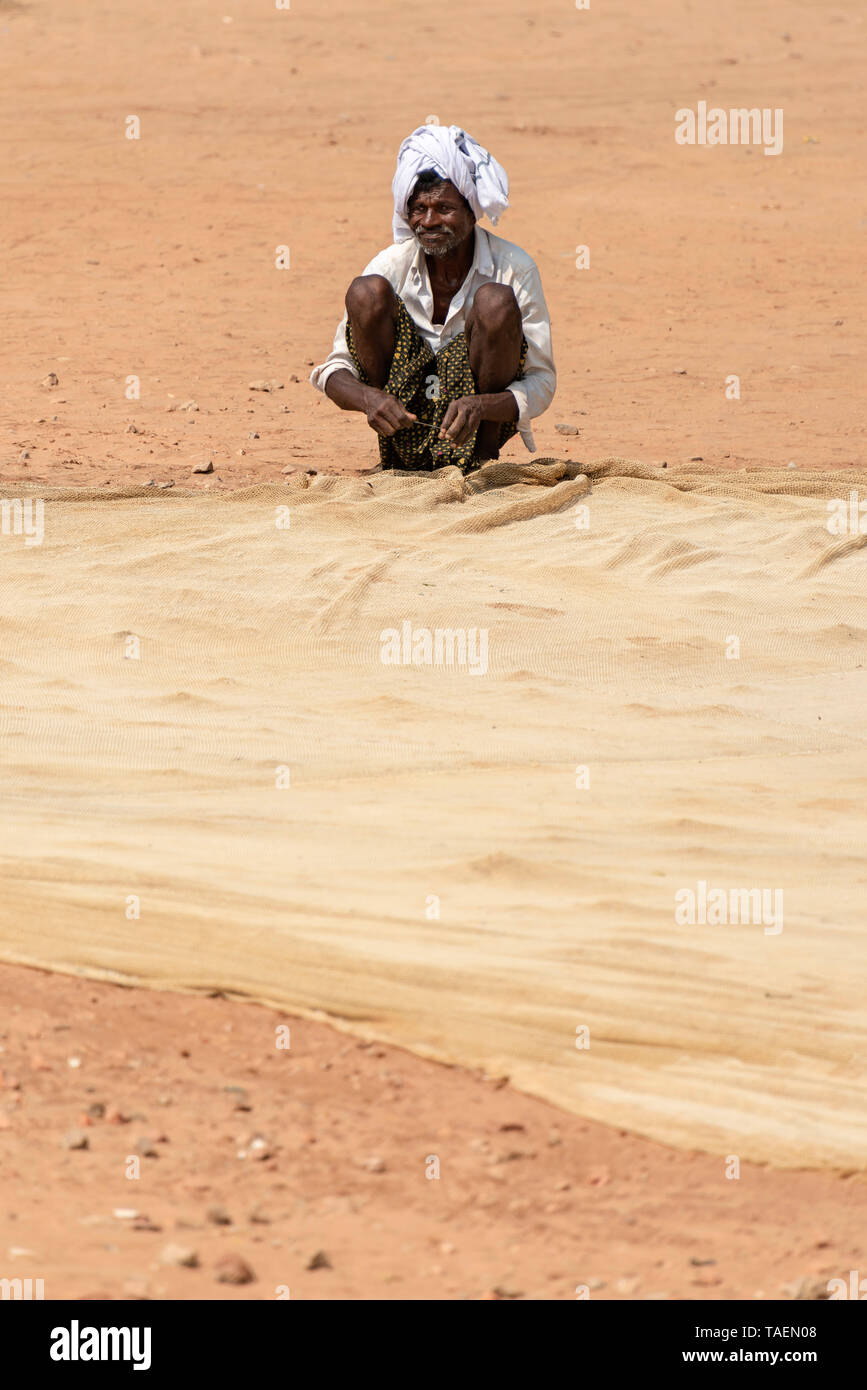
494 259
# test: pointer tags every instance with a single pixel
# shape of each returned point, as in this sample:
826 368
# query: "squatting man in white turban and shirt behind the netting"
445 344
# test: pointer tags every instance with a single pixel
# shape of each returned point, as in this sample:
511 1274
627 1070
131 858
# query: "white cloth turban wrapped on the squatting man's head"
458 158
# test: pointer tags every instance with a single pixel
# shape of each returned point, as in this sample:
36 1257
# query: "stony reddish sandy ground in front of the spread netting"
529 1203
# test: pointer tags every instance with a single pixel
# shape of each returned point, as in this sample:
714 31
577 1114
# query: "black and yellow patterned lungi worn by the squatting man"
426 383
